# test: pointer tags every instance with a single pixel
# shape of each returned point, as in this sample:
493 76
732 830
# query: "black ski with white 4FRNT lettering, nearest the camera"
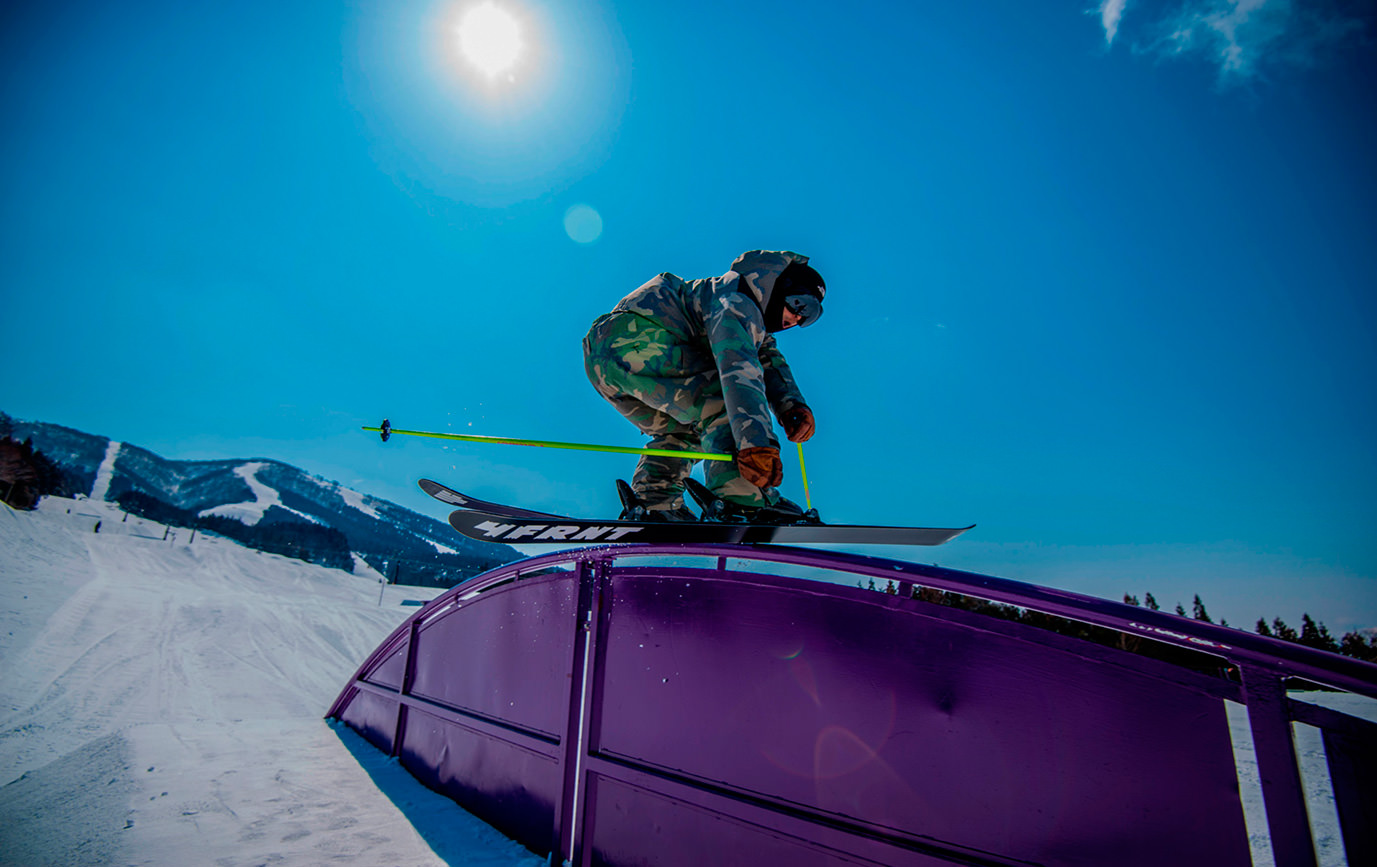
558 531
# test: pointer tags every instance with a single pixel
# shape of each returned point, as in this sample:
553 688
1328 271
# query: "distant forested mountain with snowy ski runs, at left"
404 546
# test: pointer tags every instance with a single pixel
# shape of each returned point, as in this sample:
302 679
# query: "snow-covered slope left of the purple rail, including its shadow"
162 703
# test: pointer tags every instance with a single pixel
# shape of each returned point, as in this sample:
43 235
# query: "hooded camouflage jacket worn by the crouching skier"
719 323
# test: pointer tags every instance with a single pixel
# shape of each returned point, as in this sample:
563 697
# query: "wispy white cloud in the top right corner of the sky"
1244 39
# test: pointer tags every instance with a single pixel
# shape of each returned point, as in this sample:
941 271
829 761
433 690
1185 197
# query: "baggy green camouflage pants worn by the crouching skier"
640 368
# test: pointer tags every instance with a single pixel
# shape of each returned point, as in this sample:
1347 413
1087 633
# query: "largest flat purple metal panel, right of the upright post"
842 707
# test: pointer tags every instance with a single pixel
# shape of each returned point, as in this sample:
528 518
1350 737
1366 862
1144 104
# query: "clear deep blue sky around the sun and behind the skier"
1101 280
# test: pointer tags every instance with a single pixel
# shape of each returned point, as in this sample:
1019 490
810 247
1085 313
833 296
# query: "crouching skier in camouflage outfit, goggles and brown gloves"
693 364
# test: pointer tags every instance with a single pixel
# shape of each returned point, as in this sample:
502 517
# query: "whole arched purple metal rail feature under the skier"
637 712
